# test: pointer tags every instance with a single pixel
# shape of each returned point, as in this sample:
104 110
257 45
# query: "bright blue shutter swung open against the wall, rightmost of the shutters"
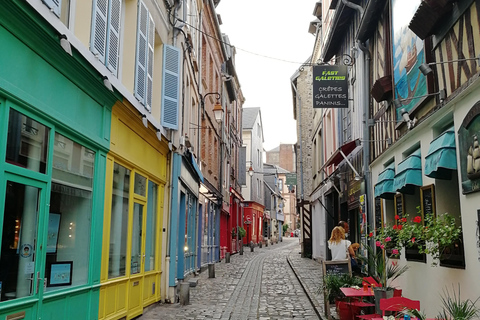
170 86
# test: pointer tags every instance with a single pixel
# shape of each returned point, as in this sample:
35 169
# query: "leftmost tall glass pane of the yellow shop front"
119 221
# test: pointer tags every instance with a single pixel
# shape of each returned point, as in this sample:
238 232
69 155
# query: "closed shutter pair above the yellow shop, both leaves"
144 60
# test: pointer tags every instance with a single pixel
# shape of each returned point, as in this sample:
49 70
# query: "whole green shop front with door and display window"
54 136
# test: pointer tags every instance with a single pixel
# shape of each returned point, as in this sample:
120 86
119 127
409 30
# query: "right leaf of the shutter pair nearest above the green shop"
114 35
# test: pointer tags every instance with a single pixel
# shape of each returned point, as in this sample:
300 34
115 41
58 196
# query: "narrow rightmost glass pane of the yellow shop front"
151 234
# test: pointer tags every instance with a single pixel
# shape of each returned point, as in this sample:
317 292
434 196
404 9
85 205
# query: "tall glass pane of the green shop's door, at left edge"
19 238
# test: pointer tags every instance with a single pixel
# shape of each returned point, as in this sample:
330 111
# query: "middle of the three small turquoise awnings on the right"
409 174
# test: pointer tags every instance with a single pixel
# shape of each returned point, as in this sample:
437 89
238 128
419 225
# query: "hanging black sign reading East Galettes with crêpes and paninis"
330 87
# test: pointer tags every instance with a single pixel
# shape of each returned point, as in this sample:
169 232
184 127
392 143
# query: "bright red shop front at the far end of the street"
252 221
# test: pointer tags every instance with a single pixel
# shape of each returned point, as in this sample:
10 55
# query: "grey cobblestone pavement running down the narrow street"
271 283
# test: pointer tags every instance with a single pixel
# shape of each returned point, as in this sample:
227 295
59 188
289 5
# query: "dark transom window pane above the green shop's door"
27 143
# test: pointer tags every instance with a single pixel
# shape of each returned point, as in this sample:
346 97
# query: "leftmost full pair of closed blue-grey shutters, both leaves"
105 38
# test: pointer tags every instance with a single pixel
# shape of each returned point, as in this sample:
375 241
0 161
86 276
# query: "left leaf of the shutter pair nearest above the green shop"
99 29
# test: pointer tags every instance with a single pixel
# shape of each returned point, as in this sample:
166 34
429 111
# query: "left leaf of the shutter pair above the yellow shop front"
140 69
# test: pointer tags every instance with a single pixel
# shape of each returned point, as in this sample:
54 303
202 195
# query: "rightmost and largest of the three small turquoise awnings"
441 158
